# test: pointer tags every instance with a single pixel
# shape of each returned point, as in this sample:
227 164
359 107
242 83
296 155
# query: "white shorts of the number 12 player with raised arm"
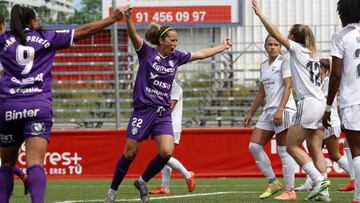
309 113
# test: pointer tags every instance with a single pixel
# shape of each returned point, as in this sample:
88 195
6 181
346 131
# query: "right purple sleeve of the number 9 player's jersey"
60 39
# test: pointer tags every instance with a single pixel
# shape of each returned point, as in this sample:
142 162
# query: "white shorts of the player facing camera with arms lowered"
266 120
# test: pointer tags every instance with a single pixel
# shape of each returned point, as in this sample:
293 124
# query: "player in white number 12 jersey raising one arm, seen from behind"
305 72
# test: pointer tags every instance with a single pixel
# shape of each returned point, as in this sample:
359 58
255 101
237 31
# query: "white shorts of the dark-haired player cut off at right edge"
350 118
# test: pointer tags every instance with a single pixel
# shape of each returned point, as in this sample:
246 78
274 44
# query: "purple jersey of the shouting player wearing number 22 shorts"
155 76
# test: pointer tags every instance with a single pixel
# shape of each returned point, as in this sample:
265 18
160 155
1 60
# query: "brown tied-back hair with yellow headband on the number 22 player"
155 33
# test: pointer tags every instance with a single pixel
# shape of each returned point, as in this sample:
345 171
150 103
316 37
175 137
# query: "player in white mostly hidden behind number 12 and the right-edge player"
331 134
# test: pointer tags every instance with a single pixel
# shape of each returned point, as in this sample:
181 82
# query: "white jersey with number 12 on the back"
305 72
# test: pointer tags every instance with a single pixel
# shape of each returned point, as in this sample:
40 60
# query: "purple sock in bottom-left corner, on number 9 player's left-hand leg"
6 183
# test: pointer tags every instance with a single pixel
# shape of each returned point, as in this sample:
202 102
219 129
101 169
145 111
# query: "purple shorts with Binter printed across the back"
21 120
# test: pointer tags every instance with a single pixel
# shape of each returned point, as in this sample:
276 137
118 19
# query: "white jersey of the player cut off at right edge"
345 45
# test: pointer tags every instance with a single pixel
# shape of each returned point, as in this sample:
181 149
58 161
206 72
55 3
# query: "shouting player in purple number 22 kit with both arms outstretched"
151 100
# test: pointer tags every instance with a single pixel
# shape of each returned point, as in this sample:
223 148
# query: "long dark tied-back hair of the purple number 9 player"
20 19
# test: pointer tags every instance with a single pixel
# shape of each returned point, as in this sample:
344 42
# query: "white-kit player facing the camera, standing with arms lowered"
275 88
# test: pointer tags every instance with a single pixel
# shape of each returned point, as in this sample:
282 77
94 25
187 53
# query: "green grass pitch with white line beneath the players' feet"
207 190
